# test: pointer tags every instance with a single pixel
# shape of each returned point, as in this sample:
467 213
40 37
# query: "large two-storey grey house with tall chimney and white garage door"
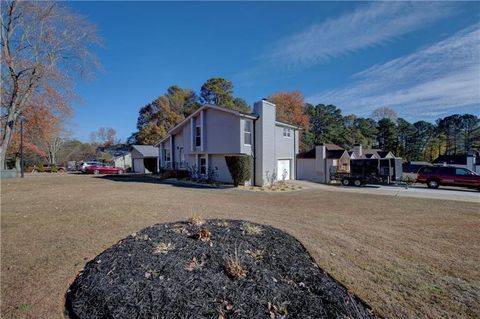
203 139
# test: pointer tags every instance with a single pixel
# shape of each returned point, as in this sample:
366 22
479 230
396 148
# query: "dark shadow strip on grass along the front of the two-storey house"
155 180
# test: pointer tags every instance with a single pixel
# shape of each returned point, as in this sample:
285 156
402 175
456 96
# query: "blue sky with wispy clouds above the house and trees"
422 58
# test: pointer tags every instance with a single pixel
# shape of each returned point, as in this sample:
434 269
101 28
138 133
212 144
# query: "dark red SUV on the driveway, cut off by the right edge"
434 176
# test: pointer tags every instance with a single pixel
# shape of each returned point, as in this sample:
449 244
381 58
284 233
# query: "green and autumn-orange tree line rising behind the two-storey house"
321 123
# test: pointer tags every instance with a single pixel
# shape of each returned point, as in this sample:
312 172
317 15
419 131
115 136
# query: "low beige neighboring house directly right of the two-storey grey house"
321 162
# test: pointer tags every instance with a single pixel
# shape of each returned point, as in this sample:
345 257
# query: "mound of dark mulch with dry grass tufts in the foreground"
188 278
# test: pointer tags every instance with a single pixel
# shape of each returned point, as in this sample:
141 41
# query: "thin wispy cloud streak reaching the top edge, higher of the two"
369 25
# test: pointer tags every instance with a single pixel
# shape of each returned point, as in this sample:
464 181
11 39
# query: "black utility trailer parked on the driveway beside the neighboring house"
372 171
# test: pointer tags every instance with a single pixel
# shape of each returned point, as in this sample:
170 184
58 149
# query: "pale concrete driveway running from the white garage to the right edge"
418 191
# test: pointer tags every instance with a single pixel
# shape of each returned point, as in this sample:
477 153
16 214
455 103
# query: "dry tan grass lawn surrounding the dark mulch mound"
408 258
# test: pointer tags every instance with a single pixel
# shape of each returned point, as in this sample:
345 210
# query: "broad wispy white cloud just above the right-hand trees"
439 79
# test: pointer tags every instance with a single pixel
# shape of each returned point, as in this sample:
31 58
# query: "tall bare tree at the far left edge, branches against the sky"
43 45
